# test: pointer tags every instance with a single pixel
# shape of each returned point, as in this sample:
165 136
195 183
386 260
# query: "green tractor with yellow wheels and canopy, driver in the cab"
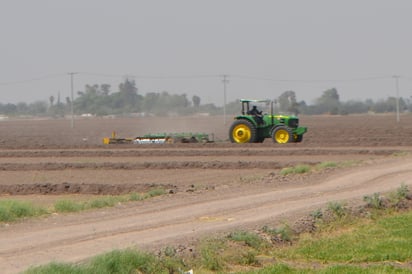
253 127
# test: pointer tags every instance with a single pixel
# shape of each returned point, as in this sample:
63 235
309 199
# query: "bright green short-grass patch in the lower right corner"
388 239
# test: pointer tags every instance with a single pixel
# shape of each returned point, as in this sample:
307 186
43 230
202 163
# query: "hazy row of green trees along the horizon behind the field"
100 100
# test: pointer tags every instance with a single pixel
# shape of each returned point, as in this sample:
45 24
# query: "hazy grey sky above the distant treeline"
184 46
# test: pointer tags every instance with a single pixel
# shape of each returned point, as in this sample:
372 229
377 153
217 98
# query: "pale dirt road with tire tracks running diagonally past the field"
147 224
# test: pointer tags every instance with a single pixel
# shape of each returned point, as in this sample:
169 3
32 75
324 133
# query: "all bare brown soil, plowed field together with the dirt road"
212 187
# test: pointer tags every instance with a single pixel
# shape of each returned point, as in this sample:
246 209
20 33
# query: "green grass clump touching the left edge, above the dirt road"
11 210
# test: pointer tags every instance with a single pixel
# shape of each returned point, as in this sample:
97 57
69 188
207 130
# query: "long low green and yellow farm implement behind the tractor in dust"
160 138
